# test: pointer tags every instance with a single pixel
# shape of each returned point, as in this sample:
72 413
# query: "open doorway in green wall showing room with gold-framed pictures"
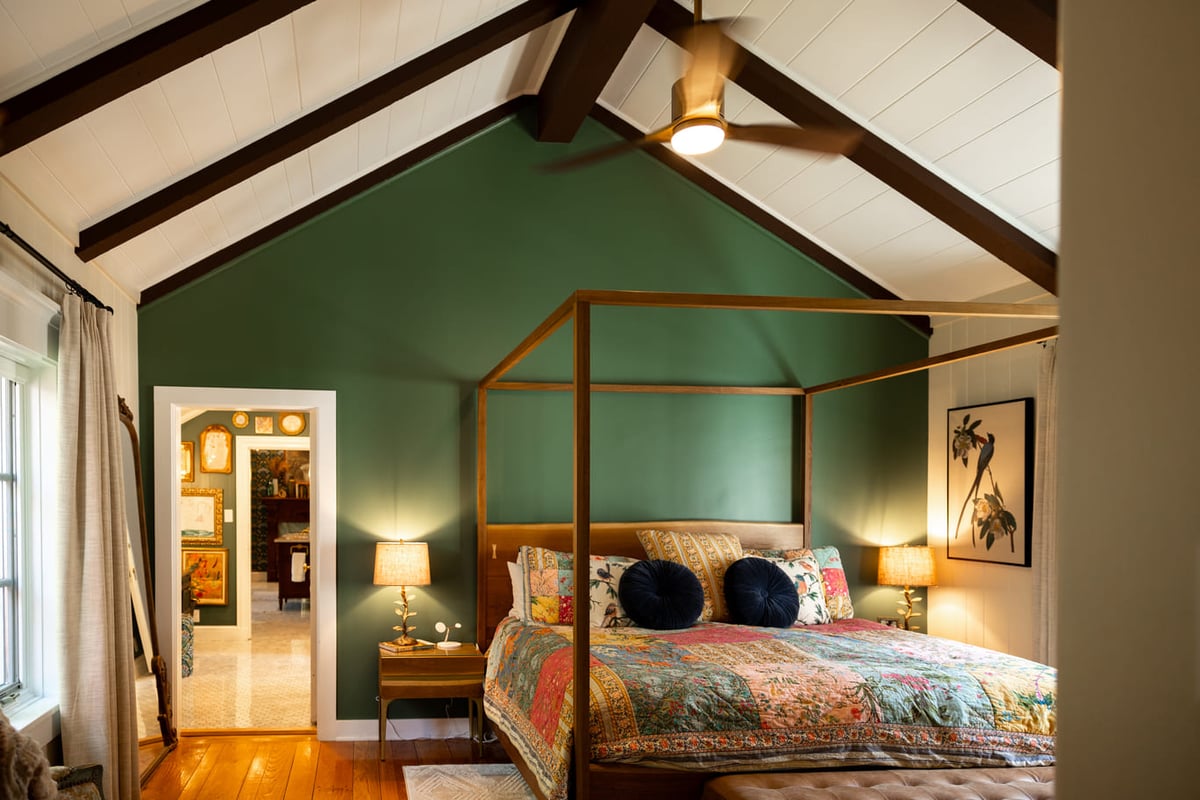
247 653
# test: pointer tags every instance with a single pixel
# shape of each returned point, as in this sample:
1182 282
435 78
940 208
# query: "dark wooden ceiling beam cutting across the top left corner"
134 64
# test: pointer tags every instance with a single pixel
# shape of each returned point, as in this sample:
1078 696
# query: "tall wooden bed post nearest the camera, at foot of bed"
583 545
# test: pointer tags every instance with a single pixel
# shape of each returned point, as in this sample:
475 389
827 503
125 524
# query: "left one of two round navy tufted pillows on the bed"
662 596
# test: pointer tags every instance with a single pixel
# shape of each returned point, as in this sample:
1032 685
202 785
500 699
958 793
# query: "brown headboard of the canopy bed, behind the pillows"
499 545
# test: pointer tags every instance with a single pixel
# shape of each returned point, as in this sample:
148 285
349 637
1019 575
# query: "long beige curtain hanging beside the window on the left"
98 703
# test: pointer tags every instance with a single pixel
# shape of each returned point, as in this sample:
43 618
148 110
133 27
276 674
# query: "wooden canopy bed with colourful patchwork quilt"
586 730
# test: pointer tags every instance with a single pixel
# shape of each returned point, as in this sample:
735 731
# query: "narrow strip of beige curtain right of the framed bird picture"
1046 513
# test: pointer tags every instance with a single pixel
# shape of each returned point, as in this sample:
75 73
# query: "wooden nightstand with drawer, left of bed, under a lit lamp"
433 673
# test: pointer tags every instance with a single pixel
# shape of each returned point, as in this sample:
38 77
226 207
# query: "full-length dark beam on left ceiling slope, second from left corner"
317 125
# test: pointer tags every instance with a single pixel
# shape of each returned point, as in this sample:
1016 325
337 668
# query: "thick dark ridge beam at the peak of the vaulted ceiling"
593 46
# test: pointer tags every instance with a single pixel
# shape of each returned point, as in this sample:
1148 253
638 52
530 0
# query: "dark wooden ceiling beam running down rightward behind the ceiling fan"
1013 246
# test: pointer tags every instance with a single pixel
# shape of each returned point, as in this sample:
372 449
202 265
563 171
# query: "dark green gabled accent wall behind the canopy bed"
403 299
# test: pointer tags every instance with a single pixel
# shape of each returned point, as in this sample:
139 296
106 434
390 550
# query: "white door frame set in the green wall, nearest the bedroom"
322 410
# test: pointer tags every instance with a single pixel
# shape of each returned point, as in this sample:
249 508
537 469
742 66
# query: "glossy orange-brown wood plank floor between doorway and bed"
297 767
